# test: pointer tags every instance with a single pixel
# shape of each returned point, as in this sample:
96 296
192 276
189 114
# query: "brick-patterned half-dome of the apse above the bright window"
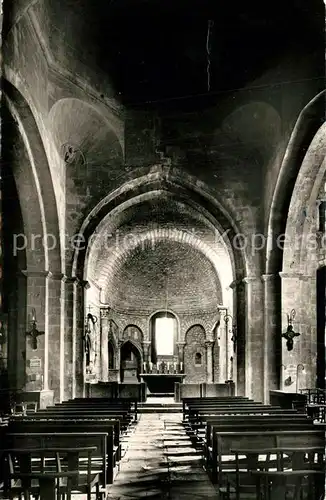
160 274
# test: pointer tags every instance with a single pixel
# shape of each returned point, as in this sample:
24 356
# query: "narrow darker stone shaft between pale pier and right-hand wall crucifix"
272 327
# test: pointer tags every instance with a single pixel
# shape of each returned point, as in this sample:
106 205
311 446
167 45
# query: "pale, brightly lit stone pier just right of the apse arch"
254 337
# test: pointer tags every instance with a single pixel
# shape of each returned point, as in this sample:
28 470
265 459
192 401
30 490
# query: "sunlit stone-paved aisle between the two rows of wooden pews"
160 463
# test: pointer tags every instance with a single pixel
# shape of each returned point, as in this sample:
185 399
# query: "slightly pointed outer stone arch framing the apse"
187 188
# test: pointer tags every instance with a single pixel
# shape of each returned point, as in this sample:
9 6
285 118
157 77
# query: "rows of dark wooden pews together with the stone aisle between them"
223 448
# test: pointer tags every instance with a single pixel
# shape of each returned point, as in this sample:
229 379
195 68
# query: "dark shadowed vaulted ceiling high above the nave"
152 50
